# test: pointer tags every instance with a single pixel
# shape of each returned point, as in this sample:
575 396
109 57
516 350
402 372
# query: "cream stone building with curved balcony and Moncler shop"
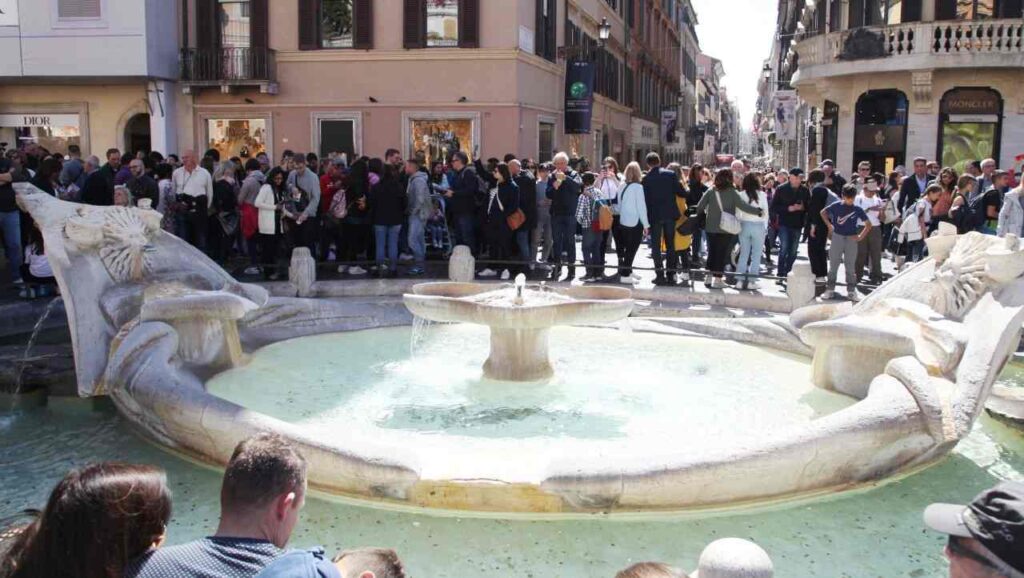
888 81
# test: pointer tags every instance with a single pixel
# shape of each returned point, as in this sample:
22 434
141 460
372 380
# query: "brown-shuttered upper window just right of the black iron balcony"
335 24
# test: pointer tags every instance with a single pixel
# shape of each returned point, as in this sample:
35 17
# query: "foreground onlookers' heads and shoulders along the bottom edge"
111 521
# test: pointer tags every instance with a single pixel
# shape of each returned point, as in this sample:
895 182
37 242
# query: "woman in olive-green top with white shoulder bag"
720 204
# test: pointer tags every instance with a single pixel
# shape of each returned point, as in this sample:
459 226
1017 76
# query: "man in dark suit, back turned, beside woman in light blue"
661 187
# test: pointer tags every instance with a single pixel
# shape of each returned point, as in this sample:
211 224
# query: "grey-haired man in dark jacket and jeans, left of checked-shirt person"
565 188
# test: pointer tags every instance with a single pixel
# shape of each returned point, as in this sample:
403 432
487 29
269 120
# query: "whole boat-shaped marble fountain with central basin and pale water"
198 362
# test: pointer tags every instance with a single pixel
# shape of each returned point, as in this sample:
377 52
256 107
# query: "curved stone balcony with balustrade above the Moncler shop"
915 47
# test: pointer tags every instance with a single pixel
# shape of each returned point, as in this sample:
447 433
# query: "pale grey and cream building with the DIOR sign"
95 74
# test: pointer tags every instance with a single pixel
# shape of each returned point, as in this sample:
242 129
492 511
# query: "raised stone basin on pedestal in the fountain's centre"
521 318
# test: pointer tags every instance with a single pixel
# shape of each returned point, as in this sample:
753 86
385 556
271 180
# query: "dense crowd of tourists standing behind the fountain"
374 216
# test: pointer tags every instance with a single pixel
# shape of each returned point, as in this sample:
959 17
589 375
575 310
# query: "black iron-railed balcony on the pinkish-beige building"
229 69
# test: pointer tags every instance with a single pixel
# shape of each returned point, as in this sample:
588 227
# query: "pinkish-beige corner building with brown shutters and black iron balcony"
424 77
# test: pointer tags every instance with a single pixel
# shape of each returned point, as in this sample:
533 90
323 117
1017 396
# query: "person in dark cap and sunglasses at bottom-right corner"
986 536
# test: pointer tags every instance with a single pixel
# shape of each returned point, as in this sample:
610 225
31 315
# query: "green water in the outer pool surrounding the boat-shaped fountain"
872 533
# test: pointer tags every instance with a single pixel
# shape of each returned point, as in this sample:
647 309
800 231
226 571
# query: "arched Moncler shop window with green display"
970 127
